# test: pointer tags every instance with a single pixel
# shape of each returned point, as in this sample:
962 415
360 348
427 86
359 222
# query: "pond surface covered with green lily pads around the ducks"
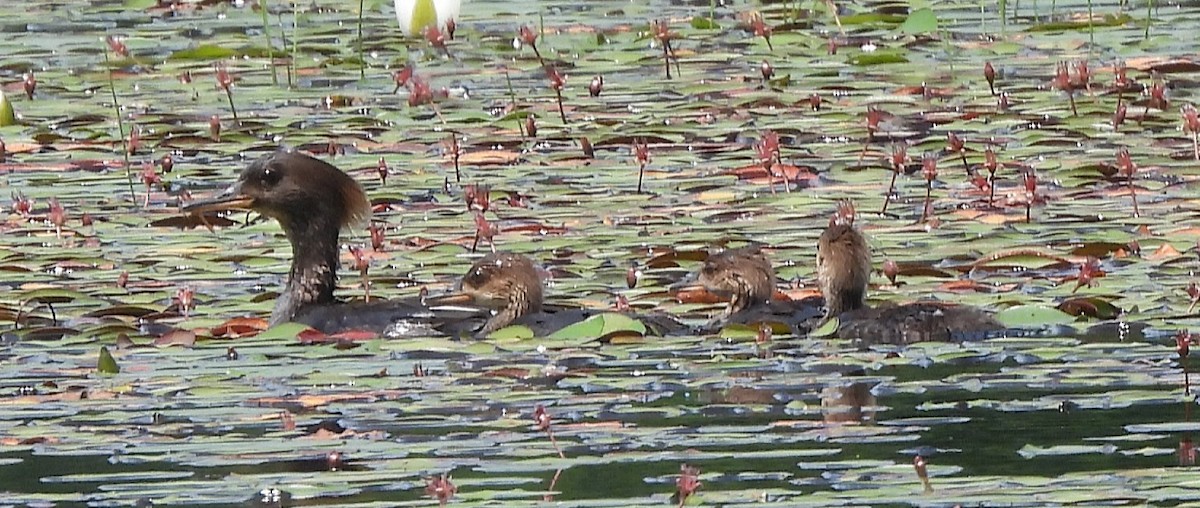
1096 414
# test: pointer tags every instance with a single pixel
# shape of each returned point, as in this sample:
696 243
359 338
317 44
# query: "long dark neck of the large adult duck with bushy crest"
314 274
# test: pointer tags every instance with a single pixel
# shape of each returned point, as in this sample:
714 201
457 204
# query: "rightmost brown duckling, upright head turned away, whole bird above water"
844 271
